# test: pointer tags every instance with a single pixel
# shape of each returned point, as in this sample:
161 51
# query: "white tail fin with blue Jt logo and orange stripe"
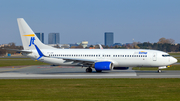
29 40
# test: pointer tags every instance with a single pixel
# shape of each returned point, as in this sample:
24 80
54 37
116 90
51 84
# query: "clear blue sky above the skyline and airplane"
88 20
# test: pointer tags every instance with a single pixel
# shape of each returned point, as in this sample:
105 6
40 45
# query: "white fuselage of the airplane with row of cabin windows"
119 57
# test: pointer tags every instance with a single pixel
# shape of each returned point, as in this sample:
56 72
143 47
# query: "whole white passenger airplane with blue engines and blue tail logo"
98 59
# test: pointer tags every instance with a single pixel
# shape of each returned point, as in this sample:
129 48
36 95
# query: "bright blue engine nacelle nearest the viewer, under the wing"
105 65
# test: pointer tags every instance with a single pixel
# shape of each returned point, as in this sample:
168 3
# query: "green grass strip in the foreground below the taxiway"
91 89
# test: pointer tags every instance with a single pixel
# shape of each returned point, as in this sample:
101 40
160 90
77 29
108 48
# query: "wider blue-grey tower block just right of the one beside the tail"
53 38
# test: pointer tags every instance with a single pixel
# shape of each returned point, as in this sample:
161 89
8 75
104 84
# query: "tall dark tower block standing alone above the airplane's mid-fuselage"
108 38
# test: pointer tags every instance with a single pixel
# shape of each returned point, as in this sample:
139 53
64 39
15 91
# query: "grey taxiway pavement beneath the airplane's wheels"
51 72
